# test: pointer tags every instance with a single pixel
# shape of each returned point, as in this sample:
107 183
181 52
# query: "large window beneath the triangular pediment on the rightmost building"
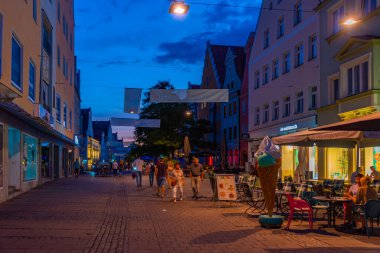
358 78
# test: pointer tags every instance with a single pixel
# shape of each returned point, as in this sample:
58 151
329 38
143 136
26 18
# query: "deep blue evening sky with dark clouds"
135 43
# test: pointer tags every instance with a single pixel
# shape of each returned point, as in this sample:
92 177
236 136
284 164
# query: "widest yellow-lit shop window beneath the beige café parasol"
339 160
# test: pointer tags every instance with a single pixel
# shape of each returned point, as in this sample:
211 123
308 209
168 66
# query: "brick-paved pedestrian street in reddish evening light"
111 215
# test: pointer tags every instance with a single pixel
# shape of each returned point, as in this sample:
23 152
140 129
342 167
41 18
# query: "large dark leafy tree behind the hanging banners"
174 126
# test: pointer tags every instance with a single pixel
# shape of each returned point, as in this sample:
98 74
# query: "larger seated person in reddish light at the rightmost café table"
365 193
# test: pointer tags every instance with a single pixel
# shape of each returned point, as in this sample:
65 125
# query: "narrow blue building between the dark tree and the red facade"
230 113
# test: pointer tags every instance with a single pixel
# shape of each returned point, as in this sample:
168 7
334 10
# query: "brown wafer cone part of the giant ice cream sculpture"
268 180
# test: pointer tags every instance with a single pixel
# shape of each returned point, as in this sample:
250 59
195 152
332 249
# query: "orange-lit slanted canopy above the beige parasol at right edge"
369 122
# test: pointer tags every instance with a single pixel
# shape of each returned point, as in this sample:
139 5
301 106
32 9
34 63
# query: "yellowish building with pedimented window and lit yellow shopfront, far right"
350 77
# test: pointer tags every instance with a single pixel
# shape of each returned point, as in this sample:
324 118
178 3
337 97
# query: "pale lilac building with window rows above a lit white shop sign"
284 76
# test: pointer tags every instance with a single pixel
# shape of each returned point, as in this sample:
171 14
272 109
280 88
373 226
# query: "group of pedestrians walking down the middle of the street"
169 174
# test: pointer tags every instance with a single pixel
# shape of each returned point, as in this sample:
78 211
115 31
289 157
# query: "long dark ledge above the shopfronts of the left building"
33 121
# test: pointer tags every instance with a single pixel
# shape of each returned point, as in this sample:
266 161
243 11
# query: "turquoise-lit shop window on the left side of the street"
30 158
